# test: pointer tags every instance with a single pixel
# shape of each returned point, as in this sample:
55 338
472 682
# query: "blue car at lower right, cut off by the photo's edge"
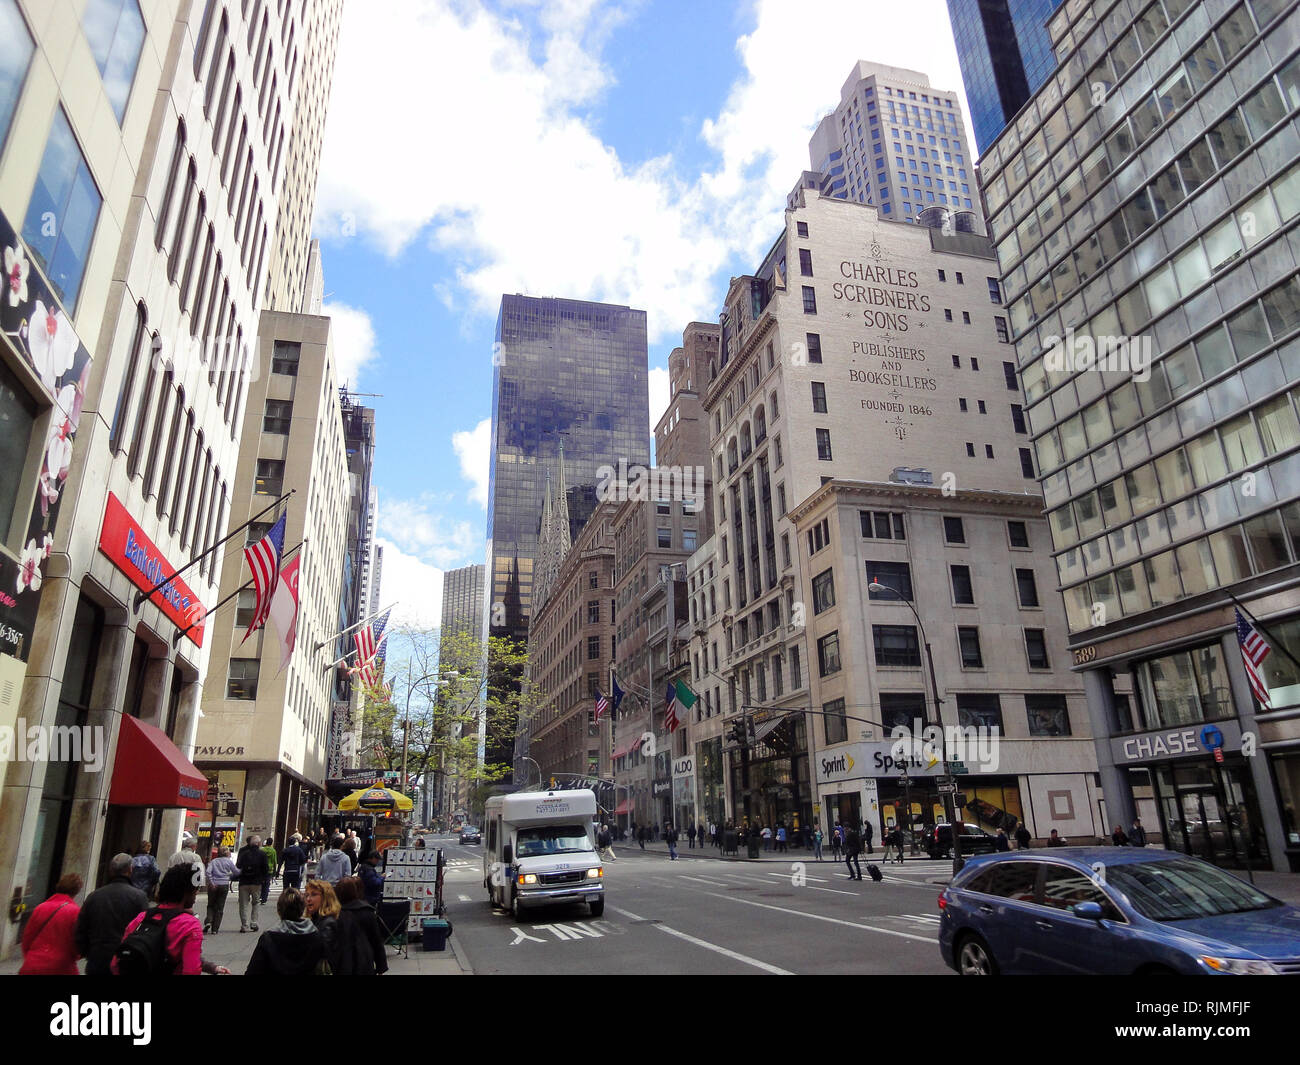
1112 911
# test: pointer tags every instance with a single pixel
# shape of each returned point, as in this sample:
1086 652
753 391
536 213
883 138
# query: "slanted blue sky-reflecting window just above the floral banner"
63 213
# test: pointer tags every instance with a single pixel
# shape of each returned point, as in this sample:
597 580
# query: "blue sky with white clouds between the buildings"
630 153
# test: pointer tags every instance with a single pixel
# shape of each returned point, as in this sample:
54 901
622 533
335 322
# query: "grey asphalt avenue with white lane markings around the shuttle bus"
710 917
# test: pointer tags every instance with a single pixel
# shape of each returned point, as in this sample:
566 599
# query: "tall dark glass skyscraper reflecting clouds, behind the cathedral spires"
569 374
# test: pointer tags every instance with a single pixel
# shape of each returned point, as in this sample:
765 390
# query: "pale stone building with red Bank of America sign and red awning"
140 185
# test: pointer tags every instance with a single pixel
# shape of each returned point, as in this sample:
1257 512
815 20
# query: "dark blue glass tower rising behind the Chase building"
1006 55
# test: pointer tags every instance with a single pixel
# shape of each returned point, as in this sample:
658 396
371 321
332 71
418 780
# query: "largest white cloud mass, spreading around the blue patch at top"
488 151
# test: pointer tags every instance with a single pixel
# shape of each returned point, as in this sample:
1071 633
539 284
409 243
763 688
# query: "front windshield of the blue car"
1184 890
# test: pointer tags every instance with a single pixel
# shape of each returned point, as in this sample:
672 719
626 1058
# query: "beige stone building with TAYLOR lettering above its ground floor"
266 729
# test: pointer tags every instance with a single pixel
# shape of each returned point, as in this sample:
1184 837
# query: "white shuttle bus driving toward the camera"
540 851
